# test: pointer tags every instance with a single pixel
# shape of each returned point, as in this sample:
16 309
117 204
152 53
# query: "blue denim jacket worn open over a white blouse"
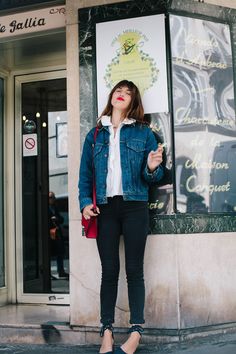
136 141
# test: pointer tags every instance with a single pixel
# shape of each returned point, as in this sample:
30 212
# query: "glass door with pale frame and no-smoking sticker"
41 122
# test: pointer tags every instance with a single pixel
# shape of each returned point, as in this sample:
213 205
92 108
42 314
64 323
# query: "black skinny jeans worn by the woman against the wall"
130 219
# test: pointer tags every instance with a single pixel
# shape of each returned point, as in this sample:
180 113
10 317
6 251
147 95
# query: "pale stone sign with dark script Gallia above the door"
32 21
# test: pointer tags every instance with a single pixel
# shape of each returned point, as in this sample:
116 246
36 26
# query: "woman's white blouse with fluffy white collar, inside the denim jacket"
114 174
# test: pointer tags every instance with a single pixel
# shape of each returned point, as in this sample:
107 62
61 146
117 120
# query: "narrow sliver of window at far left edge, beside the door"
2 258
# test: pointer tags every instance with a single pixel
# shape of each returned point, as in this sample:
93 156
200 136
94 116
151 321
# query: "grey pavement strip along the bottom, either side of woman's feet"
221 344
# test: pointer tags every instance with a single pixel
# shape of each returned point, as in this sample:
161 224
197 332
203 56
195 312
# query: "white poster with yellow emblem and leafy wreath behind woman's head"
133 49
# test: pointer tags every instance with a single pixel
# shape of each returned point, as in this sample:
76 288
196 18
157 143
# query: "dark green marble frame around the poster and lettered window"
88 17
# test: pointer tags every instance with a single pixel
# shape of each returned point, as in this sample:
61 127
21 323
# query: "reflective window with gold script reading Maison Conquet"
204 115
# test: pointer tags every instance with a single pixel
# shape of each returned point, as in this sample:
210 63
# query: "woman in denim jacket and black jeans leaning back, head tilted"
126 160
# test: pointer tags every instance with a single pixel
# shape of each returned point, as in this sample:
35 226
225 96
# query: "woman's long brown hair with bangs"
135 109
